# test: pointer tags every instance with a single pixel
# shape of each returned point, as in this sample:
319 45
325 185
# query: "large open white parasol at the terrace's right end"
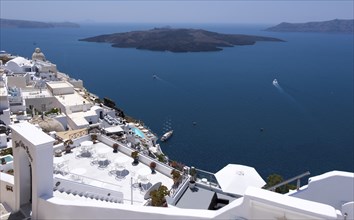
235 178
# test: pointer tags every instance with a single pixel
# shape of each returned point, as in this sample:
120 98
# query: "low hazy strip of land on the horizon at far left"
10 23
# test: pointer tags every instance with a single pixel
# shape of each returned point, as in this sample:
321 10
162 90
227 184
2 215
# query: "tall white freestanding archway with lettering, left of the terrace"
33 165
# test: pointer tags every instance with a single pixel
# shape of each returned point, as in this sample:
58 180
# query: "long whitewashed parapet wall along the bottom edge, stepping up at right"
256 204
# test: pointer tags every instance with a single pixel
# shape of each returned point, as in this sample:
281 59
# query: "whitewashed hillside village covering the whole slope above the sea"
74 157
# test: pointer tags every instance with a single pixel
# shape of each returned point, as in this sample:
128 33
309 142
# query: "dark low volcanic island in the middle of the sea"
177 40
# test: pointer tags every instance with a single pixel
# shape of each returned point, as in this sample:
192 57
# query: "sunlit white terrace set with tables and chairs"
94 171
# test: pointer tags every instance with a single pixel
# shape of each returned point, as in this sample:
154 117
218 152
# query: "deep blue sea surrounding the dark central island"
307 119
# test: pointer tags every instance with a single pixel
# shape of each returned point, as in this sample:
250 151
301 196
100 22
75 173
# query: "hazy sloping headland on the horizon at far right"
336 25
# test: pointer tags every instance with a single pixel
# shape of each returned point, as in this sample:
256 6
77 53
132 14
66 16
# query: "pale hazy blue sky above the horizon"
182 11
